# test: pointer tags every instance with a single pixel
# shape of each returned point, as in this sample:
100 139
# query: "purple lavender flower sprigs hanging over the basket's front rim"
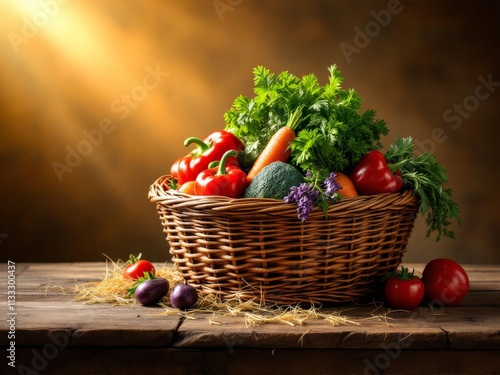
310 194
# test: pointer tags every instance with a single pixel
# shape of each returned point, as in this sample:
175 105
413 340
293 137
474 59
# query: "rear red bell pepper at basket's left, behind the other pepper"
210 149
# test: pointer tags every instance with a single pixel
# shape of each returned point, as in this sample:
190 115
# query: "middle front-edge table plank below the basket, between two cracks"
313 335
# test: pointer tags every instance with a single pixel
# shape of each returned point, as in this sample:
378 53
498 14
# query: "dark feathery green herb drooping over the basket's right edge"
426 177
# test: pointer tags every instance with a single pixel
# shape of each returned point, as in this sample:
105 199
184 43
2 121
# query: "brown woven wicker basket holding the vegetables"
258 248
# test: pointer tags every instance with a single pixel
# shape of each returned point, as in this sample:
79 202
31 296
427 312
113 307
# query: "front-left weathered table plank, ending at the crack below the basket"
101 324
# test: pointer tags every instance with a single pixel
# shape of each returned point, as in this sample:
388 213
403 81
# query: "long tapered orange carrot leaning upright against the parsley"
278 147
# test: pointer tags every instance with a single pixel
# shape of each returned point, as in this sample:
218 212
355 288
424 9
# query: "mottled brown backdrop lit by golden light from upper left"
68 66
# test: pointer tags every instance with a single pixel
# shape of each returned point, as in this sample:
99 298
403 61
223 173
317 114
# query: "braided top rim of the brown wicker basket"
159 193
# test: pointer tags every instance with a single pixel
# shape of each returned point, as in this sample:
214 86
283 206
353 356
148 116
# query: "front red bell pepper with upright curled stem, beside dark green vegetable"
226 180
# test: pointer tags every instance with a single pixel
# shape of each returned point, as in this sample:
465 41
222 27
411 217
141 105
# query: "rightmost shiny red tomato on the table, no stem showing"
445 282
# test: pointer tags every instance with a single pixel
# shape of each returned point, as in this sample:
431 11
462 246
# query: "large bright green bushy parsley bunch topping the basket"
332 132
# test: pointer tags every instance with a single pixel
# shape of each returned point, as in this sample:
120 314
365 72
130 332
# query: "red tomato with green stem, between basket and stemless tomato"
404 290
